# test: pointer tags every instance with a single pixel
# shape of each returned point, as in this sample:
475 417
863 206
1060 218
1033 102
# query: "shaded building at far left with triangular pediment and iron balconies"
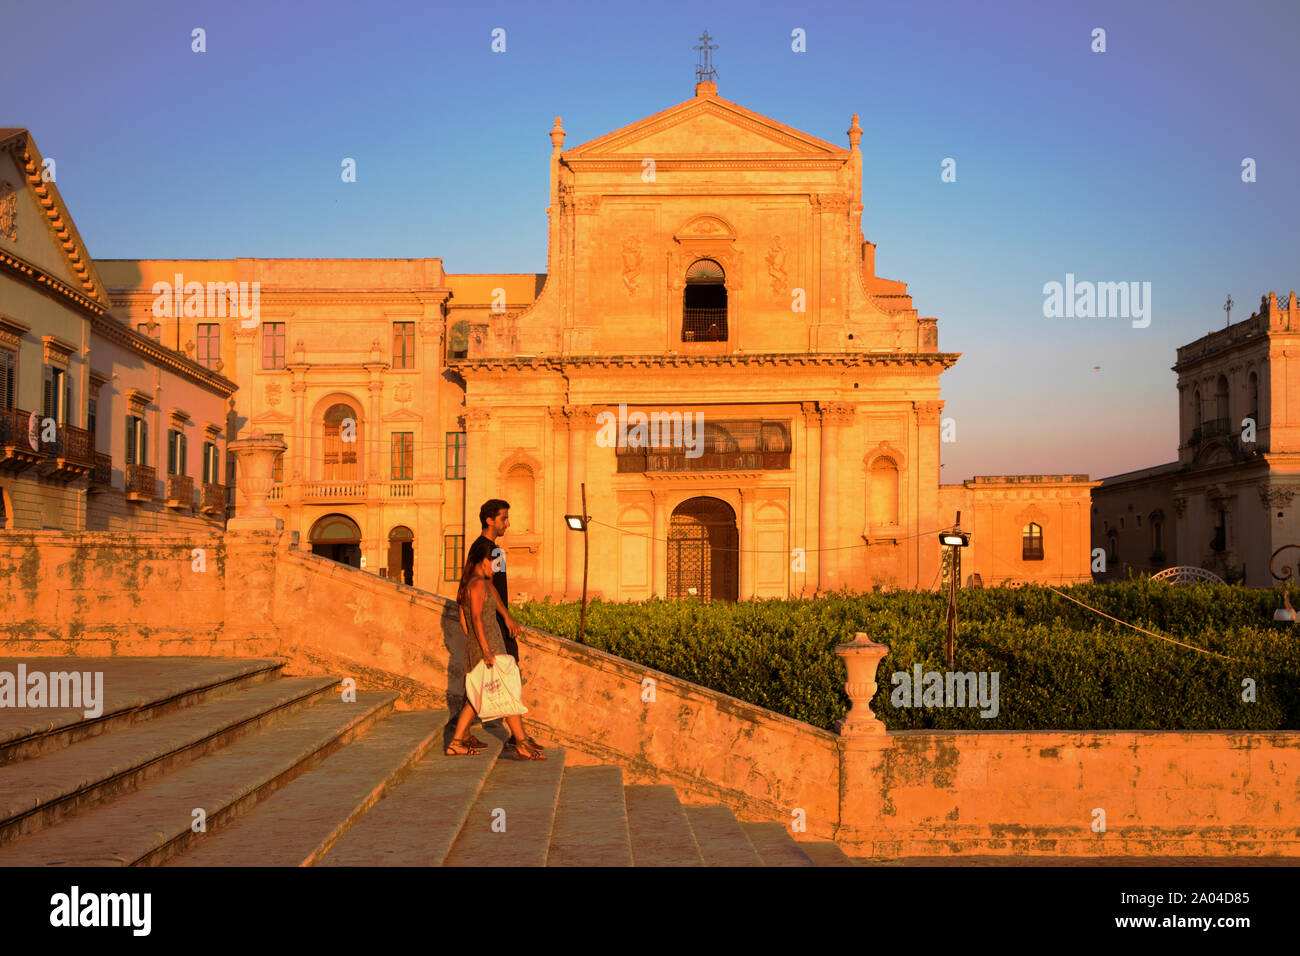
101 429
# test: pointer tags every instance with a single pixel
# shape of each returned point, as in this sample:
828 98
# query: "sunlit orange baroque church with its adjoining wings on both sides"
705 265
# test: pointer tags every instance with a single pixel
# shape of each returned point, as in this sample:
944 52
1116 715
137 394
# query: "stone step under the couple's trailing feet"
419 820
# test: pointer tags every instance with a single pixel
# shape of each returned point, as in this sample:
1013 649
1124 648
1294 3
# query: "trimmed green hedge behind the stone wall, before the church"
1060 667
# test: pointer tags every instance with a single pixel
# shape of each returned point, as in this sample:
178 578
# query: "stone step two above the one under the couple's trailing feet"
154 824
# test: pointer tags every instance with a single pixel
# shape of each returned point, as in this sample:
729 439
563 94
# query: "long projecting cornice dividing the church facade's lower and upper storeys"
679 361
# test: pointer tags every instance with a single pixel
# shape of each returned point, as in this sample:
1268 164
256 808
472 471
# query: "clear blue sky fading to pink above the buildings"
1124 166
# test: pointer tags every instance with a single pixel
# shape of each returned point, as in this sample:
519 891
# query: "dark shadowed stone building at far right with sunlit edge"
1225 505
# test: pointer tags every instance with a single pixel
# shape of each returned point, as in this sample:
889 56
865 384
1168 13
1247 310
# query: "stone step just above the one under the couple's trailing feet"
300 824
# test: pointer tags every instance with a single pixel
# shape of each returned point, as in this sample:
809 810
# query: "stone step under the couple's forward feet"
519 797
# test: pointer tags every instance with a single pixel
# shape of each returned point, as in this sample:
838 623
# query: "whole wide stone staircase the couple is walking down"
224 763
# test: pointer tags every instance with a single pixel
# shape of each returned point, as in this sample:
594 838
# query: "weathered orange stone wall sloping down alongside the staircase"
898 794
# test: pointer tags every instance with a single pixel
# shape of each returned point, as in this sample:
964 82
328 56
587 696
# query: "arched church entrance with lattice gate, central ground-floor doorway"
704 551
